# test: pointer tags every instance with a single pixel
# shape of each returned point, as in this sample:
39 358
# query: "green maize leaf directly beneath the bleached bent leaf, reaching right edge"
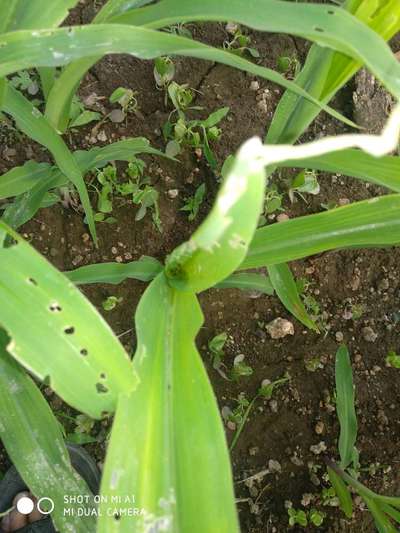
382 171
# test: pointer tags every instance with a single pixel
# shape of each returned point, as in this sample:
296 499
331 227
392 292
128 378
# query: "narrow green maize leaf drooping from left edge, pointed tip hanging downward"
35 125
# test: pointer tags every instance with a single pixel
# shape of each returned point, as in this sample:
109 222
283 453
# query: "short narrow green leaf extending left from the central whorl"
145 269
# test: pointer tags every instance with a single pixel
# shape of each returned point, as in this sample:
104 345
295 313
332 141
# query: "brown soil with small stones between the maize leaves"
283 429
